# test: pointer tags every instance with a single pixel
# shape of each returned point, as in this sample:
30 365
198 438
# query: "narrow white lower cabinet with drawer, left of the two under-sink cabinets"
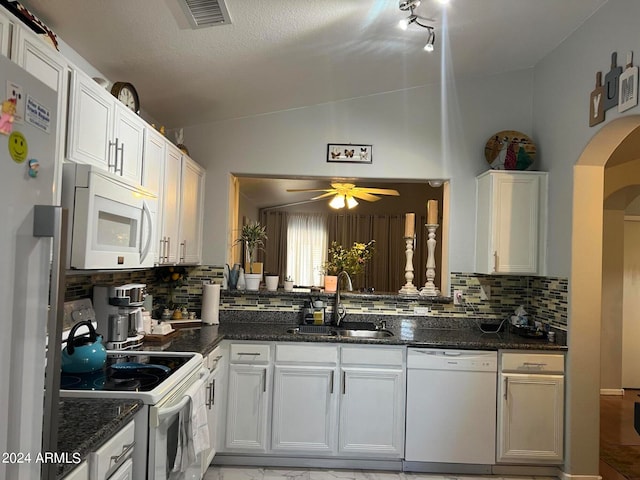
248 397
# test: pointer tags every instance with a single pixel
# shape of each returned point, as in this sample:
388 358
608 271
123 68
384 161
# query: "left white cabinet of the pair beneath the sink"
305 397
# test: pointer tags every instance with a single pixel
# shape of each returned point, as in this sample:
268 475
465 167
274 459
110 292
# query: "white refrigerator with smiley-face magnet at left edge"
30 236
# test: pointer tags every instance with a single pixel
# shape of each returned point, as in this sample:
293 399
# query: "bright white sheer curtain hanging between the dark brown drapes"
307 247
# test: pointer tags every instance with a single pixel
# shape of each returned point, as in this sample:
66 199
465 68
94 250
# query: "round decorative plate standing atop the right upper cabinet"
510 150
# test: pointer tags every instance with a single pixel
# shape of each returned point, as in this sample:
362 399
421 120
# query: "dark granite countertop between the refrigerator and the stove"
85 424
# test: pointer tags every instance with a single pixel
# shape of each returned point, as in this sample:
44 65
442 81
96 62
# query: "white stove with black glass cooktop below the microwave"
165 400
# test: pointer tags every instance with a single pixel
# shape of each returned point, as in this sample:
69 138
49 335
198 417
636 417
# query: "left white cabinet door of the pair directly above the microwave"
90 123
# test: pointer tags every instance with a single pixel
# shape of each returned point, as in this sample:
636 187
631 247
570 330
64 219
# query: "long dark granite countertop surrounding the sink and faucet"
413 332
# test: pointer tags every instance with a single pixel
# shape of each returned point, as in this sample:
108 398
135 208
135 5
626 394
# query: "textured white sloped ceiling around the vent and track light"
283 54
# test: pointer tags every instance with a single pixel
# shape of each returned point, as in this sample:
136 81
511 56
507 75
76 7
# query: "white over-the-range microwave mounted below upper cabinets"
113 222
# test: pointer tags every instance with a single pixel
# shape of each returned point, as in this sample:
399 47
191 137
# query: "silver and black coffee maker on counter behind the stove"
119 314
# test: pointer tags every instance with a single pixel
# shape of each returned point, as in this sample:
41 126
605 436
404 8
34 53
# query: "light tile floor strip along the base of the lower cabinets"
257 473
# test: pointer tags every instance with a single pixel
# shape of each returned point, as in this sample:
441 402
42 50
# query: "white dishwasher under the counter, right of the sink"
451 410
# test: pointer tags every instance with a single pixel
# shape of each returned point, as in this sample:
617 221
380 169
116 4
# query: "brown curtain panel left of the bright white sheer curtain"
274 255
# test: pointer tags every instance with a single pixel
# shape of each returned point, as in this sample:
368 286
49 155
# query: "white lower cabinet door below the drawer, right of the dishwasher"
530 418
